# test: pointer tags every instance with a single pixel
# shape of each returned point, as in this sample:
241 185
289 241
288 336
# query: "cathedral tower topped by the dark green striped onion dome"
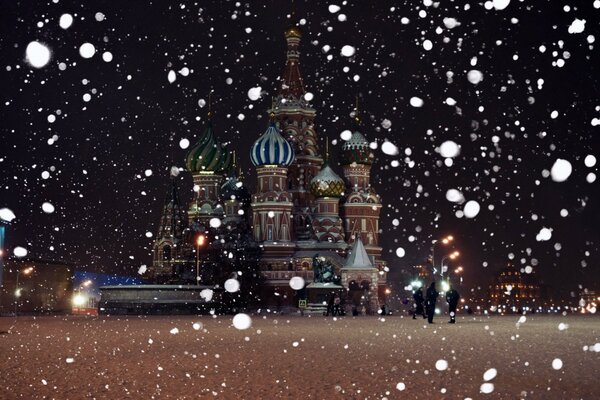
208 161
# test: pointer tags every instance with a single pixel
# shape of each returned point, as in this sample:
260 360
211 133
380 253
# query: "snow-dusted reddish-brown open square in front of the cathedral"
537 357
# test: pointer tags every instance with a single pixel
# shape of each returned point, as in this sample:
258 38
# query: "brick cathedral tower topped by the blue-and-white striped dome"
272 202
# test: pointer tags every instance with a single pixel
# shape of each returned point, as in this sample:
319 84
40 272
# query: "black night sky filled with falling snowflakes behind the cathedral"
134 120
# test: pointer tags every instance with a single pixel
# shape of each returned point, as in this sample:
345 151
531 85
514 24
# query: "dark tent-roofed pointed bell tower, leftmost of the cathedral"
169 244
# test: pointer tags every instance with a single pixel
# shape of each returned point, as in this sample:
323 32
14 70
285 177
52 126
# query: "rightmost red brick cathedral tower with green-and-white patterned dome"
362 205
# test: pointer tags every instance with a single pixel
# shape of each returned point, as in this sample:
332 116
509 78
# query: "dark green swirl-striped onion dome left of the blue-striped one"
207 155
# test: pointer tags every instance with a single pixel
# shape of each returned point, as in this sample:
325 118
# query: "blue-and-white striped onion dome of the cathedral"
272 149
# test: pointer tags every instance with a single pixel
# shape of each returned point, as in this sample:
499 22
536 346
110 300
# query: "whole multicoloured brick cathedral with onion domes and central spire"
306 219
